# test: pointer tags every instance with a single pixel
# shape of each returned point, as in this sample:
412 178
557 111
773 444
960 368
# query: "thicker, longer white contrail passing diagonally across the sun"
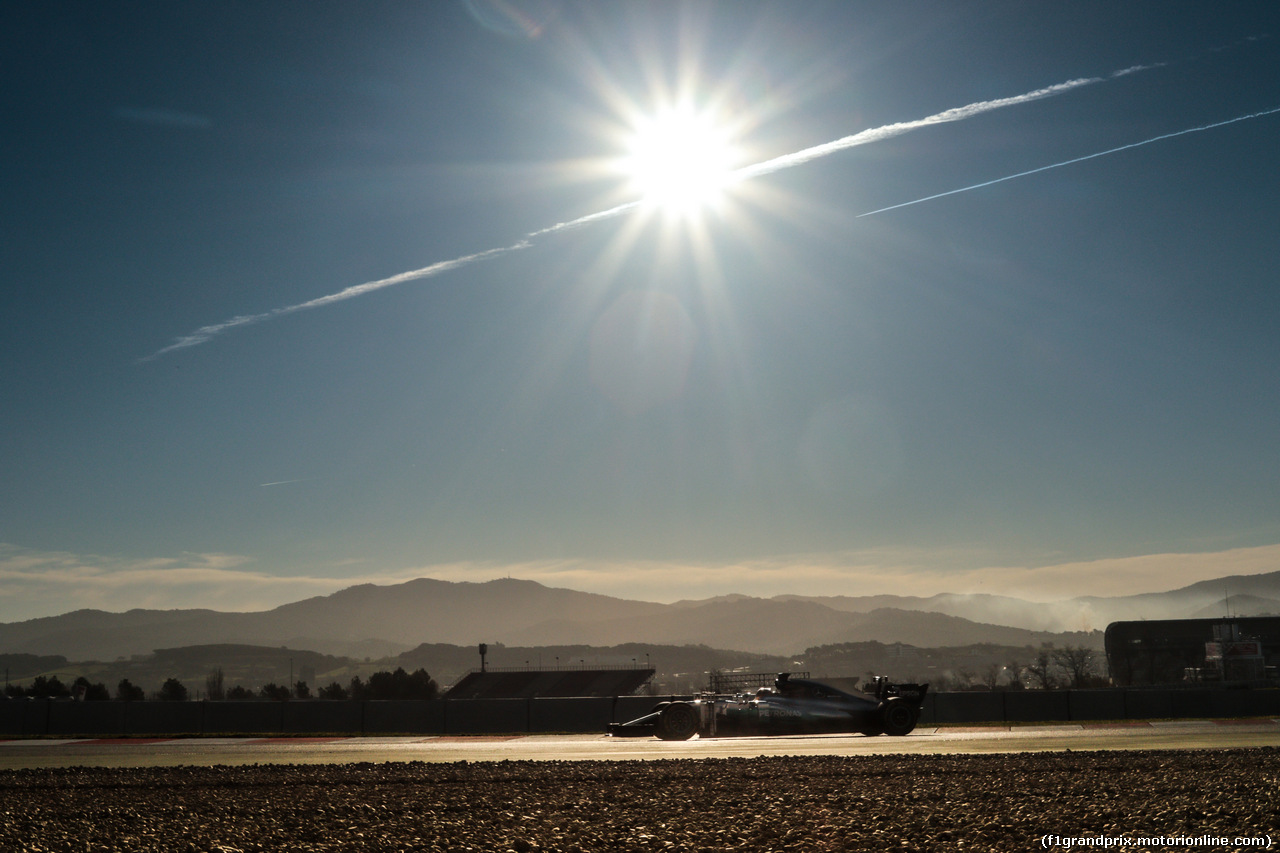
785 162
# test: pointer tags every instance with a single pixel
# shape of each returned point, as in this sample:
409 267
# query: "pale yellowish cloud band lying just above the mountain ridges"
35 585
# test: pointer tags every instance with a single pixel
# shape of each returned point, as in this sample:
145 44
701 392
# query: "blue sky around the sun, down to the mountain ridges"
1060 384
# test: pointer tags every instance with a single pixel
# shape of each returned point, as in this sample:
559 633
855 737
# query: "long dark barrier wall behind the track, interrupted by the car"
61 718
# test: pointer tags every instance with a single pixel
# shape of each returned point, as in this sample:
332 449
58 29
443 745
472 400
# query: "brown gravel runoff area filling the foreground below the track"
1165 800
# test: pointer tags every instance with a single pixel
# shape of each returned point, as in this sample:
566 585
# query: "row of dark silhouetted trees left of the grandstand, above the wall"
397 685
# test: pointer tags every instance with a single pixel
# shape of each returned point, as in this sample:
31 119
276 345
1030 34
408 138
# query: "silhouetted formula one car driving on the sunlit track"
793 706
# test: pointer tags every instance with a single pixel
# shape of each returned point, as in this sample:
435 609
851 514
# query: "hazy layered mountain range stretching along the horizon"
371 622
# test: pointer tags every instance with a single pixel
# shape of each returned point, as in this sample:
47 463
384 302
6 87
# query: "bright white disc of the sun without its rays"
679 162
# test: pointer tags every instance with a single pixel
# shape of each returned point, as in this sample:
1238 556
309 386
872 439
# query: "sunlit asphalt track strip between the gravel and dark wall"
144 752
